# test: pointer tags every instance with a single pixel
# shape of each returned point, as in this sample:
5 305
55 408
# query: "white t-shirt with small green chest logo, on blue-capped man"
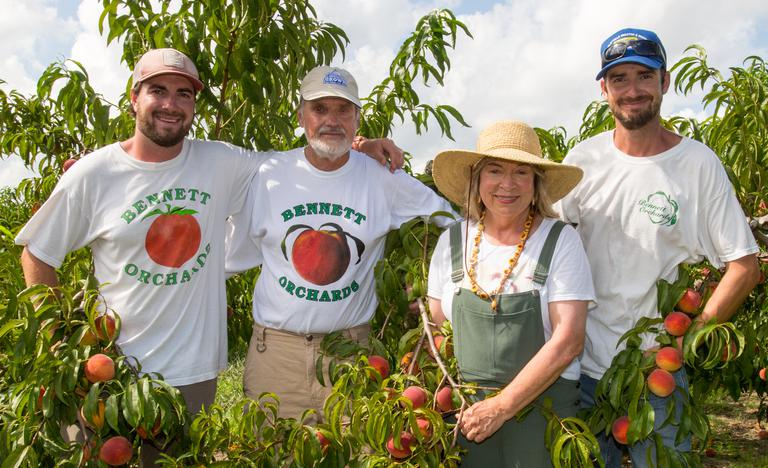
639 218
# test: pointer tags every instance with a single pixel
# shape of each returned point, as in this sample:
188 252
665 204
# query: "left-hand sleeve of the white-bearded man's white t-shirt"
242 244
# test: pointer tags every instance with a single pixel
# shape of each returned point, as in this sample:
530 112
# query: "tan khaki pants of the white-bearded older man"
284 363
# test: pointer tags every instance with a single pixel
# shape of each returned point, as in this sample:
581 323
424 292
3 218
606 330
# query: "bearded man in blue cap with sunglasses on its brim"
649 200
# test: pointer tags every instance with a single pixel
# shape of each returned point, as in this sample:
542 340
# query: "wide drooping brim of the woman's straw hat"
452 169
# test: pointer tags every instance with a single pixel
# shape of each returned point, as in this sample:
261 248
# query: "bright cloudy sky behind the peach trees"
531 60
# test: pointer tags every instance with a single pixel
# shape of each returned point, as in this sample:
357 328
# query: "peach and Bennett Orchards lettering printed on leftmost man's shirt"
173 235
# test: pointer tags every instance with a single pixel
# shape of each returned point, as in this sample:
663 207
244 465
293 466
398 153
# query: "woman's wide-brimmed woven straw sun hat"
508 140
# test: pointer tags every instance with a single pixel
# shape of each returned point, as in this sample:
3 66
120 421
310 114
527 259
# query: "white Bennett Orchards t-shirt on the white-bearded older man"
313 281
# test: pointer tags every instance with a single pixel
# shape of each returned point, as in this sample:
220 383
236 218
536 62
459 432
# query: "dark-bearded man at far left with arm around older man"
153 210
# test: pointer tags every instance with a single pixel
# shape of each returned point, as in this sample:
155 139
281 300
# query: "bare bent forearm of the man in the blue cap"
741 276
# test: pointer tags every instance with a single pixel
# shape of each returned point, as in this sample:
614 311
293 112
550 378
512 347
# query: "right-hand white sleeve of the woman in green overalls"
570 278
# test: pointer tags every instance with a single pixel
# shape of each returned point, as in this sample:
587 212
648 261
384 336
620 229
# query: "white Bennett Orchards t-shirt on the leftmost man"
163 274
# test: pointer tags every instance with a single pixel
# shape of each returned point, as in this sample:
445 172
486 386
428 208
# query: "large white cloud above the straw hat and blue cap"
536 61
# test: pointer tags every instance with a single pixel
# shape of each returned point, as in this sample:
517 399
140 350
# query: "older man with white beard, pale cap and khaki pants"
316 219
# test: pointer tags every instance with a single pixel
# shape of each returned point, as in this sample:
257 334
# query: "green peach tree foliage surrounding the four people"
252 54
